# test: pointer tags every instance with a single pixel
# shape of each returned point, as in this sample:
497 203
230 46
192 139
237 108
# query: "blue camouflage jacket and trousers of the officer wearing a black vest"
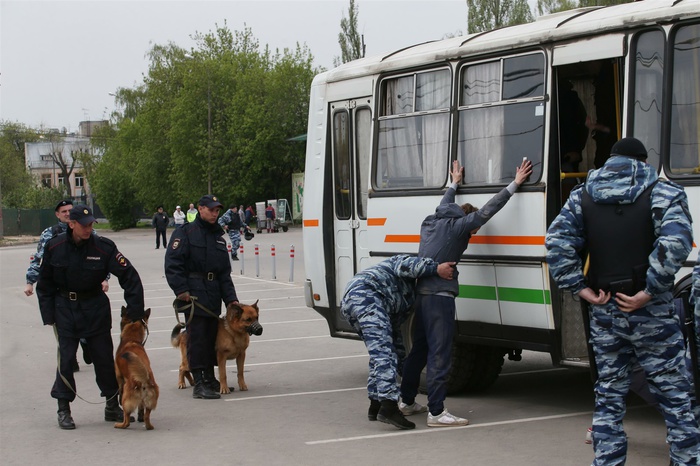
652 334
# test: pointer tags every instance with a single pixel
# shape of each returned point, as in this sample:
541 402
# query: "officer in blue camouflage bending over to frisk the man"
376 302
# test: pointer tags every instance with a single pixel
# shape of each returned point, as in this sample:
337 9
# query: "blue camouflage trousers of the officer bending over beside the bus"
367 315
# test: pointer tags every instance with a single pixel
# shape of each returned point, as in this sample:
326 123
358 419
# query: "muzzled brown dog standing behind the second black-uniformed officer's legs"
232 340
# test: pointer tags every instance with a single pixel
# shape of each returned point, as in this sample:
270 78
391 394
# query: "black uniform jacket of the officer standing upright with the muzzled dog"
197 261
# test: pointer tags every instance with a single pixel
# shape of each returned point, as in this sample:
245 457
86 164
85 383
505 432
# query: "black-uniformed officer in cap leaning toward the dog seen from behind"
71 299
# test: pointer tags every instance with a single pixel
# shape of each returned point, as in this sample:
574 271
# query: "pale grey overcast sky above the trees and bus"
59 60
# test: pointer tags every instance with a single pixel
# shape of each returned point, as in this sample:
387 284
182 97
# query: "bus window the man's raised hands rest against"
501 118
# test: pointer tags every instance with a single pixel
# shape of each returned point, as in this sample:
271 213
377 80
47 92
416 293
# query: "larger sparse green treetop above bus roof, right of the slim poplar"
485 15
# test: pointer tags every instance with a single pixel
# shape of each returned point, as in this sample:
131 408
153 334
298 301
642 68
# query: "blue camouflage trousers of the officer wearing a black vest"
652 336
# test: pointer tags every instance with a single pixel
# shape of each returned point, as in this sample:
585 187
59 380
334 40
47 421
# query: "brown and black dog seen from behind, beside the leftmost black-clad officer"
137 386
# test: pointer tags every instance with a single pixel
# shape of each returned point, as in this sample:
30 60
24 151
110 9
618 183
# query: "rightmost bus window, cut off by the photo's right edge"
685 106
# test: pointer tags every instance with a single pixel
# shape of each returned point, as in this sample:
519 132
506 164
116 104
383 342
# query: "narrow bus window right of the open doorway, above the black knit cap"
648 91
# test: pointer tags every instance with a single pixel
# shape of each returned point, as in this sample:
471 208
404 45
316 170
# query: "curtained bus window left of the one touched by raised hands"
413 127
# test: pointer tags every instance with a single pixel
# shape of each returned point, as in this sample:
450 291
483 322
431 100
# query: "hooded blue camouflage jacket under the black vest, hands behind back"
621 181
